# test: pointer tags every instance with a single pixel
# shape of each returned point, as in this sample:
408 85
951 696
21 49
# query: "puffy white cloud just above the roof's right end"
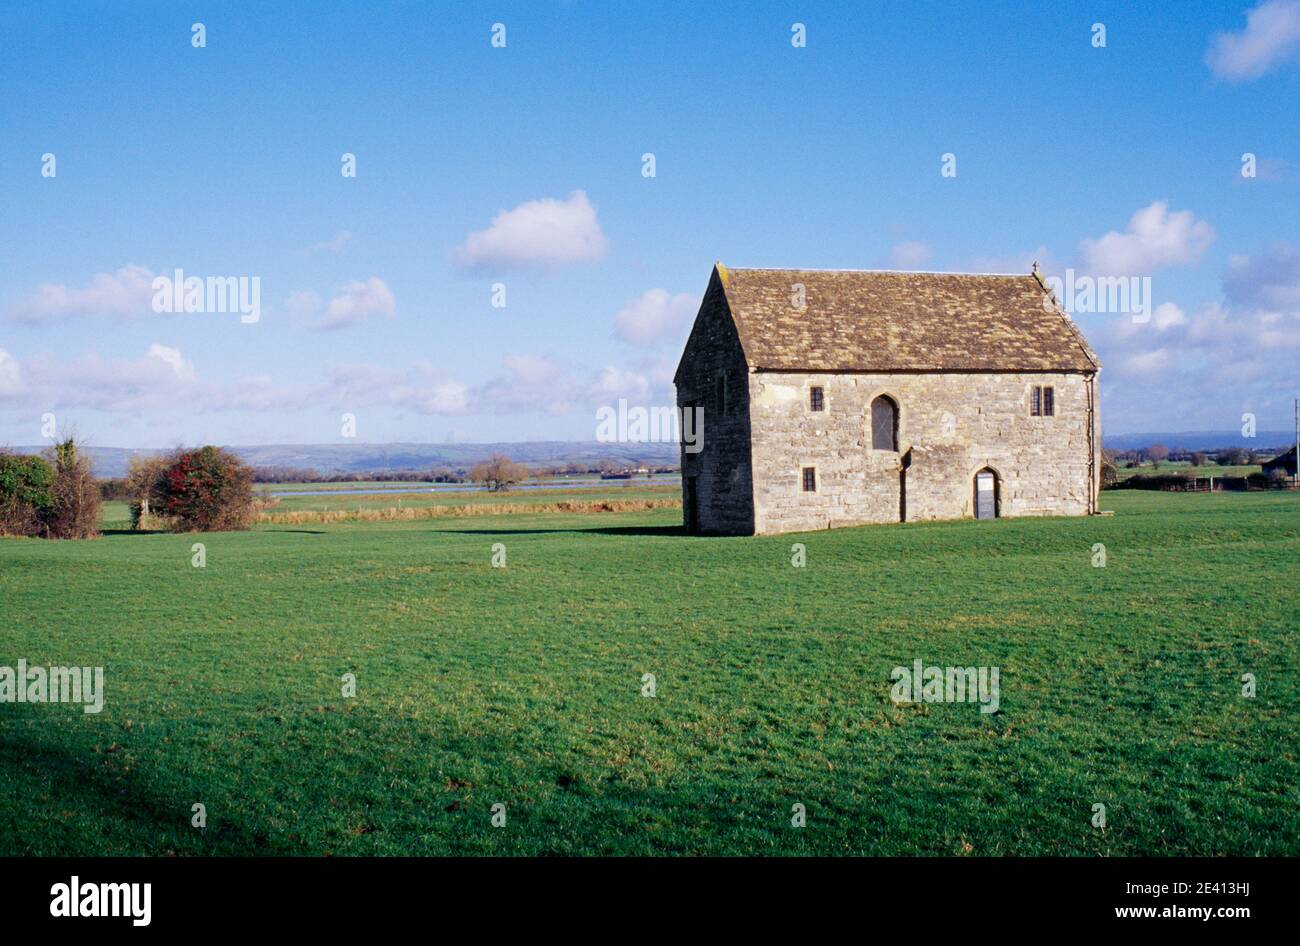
1155 238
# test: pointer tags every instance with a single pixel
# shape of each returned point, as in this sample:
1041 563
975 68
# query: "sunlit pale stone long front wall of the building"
954 426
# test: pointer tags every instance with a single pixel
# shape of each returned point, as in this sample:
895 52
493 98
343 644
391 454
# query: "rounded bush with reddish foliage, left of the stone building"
205 491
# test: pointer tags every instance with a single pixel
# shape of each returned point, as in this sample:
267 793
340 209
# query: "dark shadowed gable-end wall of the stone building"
722 470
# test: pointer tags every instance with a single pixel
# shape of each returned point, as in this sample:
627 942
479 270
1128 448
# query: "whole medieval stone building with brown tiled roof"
839 398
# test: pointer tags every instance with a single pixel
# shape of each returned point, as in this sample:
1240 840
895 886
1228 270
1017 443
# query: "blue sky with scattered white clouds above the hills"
523 166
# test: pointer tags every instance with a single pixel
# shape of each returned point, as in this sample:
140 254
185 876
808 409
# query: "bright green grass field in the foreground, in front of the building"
522 685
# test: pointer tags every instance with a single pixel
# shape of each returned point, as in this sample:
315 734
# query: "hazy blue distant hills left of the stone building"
369 458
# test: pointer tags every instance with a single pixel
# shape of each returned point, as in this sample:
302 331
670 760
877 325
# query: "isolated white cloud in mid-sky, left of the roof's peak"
547 232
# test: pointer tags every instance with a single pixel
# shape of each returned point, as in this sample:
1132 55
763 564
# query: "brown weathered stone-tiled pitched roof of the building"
886 322
